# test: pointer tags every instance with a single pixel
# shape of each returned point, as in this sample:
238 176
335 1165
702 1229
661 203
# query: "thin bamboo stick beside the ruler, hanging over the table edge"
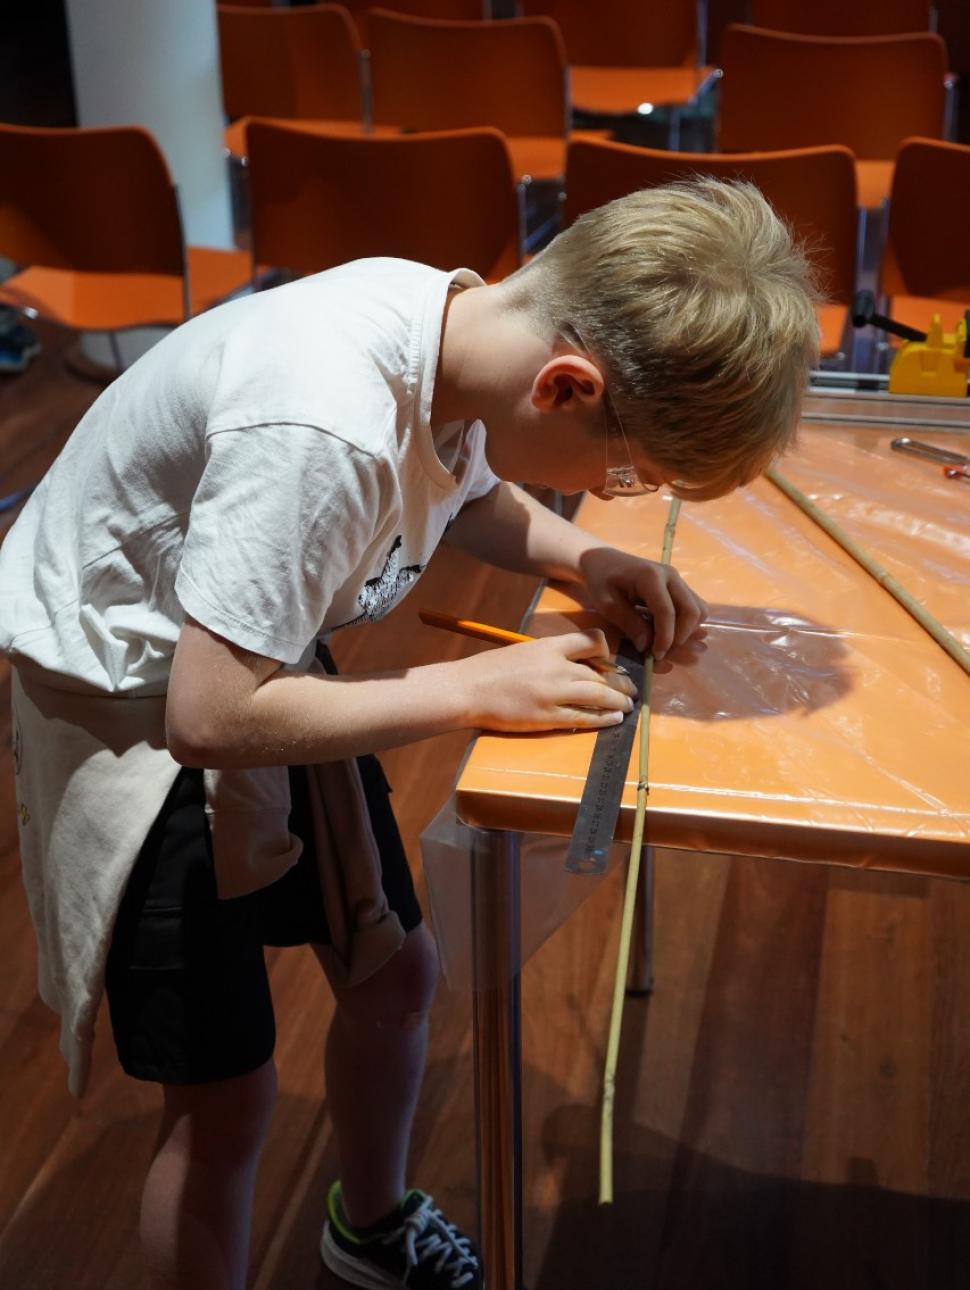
609 1079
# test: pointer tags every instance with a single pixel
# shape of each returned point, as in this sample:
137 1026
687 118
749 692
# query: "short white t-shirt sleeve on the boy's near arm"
281 521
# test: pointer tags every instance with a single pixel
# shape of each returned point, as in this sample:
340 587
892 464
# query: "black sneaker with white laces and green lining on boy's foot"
415 1248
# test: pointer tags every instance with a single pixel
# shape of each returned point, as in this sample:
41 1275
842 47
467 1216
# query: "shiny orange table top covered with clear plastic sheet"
821 722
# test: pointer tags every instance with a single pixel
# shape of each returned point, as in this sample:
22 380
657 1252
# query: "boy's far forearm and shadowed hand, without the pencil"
510 530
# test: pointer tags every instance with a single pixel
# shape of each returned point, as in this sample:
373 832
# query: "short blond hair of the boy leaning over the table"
698 305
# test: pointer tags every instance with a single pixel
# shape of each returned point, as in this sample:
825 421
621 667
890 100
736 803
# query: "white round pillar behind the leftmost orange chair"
157 64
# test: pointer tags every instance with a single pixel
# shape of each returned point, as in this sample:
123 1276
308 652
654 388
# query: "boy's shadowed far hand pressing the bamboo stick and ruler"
617 582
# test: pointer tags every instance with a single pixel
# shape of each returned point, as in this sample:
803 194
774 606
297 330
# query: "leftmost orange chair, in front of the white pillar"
94 217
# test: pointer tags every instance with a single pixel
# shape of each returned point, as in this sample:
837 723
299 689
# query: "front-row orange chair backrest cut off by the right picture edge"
928 250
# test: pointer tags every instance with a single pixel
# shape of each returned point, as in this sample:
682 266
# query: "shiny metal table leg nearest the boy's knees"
499 1073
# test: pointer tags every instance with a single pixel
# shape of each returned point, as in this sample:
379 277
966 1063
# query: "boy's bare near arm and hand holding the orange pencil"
229 708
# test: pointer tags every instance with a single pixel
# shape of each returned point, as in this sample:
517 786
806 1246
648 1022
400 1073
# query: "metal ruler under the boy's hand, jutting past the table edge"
599 808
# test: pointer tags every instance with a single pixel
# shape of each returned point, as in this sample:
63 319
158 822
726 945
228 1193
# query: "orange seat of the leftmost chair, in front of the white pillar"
110 303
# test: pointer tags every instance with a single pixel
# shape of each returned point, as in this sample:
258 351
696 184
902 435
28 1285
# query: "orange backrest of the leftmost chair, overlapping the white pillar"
95 199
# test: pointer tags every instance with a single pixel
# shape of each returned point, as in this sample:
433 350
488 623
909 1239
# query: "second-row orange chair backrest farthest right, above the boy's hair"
869 94
